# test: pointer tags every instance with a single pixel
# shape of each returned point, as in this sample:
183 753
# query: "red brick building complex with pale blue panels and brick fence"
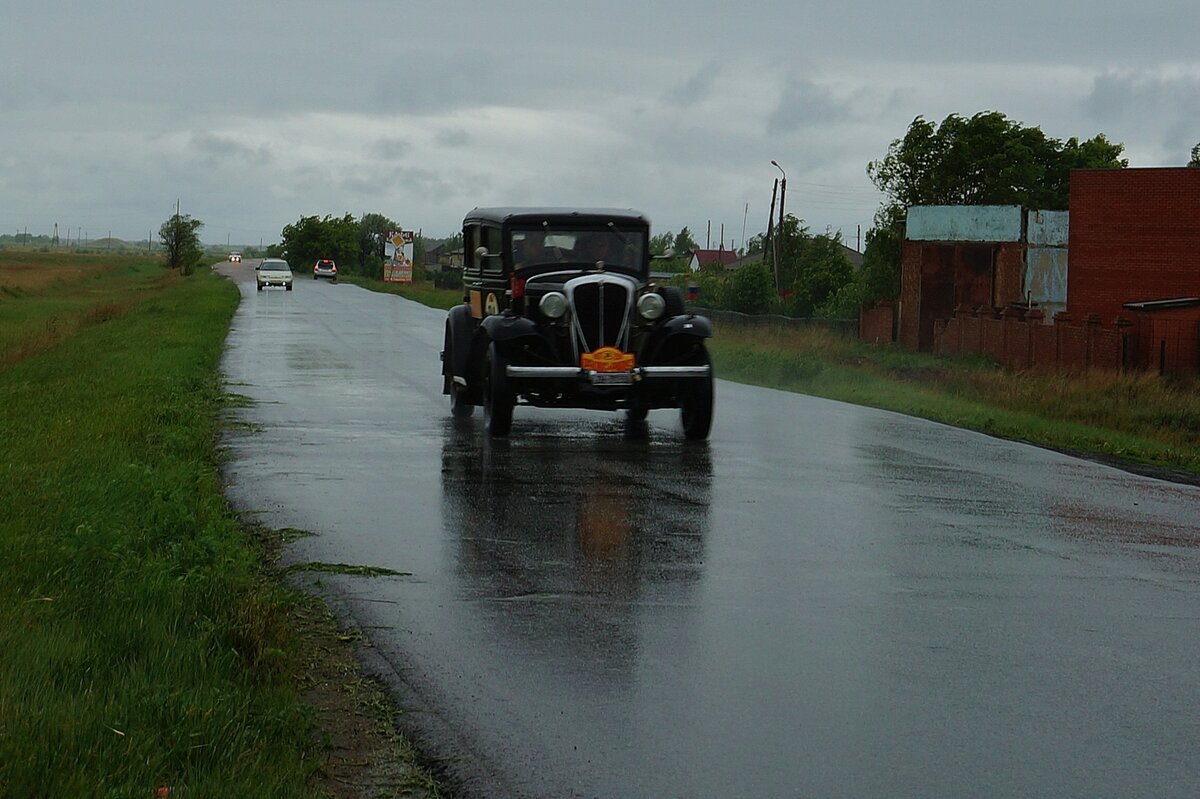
971 283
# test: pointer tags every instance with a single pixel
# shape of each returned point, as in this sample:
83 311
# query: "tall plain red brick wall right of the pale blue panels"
1135 237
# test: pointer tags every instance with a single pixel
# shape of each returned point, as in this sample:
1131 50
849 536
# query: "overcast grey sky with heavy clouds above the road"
254 115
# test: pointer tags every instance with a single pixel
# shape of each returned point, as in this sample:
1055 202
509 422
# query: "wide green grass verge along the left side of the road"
149 645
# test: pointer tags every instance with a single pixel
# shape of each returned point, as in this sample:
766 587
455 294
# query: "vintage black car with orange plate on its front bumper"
560 313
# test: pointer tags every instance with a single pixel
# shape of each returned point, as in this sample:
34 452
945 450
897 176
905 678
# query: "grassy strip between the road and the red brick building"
1137 418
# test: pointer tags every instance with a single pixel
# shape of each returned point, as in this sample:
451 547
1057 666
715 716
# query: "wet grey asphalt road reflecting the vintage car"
824 602
